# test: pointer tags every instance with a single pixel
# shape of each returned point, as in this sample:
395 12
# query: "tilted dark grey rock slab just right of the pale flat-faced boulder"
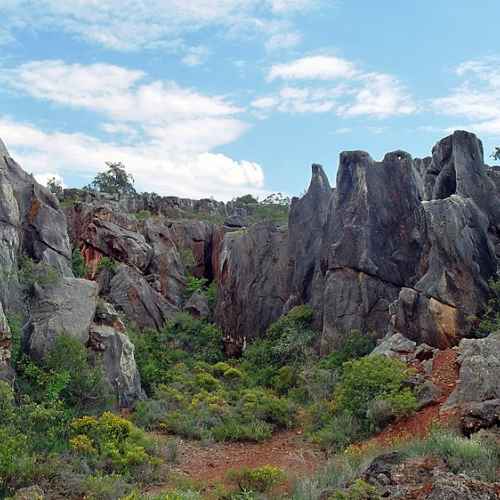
132 294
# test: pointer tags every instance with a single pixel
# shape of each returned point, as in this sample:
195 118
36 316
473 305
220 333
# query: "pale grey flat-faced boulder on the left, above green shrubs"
66 308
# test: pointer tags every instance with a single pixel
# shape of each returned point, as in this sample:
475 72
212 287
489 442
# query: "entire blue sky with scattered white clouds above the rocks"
219 98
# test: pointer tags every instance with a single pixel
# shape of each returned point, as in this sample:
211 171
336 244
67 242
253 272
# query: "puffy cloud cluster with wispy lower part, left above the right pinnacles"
333 84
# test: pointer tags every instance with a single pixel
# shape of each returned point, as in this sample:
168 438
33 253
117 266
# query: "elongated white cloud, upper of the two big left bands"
117 92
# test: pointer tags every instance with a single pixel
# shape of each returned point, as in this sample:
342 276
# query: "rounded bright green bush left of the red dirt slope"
373 378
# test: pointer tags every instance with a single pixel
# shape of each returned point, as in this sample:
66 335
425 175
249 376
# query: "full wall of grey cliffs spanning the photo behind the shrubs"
400 245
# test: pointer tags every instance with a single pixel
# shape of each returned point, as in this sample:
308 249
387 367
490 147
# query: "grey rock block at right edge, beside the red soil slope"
479 376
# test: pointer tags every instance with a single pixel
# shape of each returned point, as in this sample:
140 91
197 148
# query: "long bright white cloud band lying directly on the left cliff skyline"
155 168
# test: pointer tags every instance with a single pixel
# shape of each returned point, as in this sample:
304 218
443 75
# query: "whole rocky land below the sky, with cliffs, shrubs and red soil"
344 345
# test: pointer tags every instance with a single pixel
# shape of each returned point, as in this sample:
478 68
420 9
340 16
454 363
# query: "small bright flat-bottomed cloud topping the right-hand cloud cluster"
313 68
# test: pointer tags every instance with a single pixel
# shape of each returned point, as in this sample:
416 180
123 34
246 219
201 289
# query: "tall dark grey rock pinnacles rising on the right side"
402 245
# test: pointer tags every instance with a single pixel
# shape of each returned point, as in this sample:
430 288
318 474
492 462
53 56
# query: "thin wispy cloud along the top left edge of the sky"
138 24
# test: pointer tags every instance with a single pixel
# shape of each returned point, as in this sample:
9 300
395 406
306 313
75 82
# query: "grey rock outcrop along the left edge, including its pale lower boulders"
34 227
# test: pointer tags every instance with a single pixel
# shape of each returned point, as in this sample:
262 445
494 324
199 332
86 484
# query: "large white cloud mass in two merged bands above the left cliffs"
165 134
